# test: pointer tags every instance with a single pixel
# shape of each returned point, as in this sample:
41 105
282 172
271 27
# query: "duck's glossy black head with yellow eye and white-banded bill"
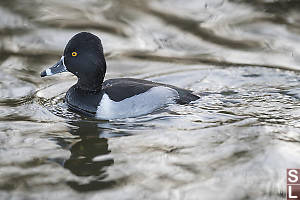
83 56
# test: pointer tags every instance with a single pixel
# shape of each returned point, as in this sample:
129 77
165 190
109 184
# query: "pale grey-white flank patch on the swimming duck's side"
141 104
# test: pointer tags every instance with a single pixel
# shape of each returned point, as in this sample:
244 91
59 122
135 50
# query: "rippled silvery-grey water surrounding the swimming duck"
236 142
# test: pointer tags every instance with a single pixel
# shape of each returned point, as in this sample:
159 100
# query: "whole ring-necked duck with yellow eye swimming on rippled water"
114 98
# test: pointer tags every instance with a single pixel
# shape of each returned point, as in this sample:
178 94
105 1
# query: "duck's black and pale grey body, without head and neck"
126 97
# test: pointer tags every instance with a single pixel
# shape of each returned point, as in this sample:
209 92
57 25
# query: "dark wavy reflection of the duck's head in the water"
82 161
